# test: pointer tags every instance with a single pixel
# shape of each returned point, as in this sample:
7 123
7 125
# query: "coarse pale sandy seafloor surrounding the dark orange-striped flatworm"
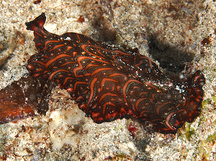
65 133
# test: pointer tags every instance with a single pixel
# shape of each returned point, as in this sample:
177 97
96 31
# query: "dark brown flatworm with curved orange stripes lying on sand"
108 83
